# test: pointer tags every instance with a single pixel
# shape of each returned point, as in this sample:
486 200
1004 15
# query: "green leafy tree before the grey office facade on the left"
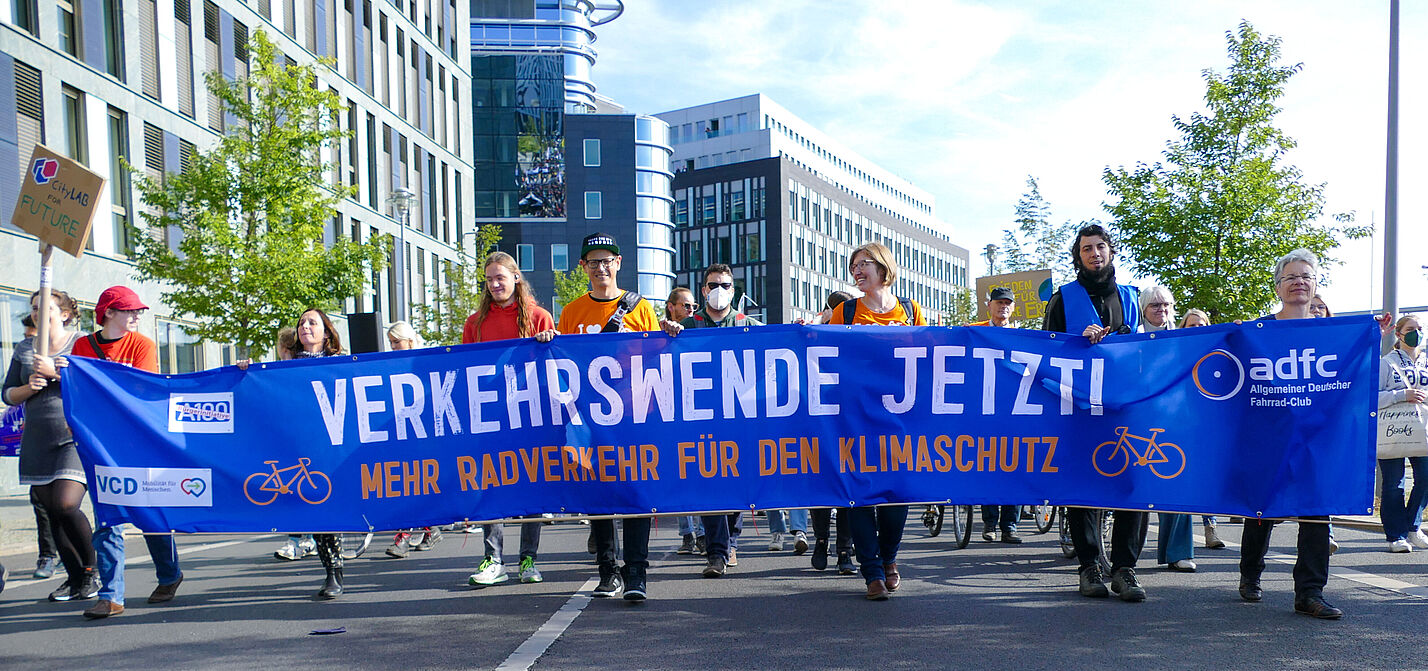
252 211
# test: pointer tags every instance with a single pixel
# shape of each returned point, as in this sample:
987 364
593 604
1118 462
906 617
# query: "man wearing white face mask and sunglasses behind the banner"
722 532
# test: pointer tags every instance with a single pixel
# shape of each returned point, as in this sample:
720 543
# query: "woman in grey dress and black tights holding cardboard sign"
49 462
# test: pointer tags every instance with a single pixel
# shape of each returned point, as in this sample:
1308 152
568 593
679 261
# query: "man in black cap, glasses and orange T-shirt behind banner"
609 309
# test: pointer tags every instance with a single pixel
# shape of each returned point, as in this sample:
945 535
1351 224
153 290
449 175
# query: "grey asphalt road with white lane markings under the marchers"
989 606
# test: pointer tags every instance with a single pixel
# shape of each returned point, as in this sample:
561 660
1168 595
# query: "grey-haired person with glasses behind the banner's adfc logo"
1296 278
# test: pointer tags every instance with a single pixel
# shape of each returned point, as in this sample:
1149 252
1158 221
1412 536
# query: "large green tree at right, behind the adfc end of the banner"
1215 216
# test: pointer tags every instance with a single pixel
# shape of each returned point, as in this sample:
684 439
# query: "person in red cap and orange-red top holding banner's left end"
119 340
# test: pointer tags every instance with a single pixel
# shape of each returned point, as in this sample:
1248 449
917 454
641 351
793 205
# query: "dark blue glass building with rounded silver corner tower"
555 161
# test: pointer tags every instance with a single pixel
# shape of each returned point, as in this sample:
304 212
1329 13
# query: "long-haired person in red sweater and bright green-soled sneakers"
508 311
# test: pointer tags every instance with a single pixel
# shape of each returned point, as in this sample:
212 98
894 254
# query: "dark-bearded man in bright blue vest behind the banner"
1097 306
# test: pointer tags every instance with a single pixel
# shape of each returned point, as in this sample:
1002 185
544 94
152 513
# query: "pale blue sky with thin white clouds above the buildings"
969 99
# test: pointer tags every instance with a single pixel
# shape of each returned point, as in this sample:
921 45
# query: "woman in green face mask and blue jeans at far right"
1403 379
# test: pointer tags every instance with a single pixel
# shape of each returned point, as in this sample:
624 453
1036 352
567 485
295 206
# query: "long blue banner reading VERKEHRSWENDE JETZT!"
1267 419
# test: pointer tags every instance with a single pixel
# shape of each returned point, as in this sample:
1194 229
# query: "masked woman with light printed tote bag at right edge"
1402 382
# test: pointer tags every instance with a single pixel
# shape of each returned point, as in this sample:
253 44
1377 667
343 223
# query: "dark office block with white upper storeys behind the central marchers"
785 206
